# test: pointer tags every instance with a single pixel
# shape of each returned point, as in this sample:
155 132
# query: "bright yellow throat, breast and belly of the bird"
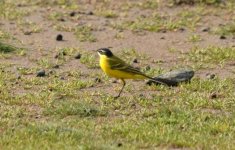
117 73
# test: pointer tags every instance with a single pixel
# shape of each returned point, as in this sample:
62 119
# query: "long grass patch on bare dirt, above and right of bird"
156 23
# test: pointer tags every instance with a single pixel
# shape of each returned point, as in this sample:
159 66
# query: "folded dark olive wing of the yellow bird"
118 64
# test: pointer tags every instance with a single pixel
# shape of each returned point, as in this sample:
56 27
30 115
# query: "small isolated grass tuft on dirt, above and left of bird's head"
84 33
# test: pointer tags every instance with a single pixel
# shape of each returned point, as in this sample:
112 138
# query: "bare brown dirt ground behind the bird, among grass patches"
157 45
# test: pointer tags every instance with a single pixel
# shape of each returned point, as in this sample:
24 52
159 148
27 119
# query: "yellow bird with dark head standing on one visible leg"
119 69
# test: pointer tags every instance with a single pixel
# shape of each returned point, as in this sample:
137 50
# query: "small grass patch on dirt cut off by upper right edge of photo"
228 29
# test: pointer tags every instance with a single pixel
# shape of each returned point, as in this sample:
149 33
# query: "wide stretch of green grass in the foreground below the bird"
62 118
